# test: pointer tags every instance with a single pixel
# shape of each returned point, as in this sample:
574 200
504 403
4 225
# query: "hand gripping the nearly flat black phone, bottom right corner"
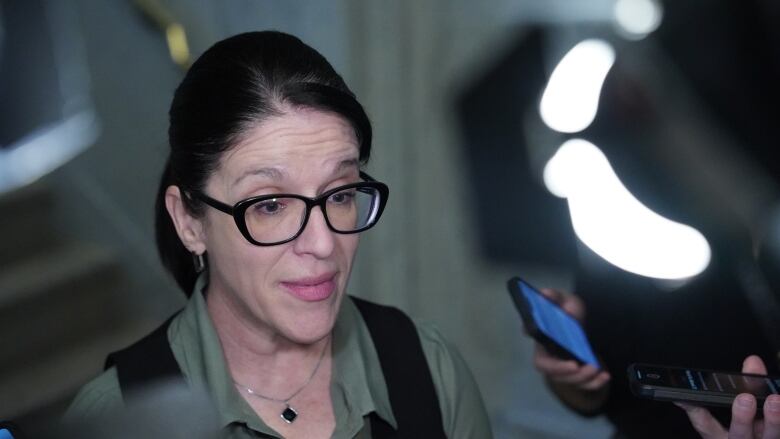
743 413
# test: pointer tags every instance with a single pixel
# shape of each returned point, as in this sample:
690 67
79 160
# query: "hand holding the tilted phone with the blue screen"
560 372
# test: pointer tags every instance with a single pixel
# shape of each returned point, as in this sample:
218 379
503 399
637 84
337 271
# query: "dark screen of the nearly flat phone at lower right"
707 381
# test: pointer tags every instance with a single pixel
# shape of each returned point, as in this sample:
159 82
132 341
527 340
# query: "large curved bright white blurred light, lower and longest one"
613 223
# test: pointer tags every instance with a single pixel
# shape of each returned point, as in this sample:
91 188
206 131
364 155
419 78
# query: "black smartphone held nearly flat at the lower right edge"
698 386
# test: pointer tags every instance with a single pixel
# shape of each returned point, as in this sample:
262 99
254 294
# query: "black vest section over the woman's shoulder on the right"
407 375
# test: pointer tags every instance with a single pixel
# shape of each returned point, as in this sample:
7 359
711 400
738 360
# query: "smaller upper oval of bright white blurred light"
571 98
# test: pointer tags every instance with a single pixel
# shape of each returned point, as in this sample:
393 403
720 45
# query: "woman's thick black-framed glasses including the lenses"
278 218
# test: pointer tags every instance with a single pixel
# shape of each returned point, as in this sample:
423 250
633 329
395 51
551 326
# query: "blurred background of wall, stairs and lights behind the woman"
621 149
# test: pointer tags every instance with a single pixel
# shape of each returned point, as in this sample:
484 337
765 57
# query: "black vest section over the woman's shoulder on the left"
149 359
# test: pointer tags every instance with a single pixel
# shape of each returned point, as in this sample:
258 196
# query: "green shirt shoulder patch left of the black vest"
96 398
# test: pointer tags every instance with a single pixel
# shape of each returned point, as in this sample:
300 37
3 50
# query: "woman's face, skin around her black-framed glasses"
294 289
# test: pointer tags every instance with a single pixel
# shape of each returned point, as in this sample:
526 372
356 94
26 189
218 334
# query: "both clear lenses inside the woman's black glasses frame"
279 219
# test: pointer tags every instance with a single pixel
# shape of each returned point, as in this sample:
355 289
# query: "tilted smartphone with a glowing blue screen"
561 334
